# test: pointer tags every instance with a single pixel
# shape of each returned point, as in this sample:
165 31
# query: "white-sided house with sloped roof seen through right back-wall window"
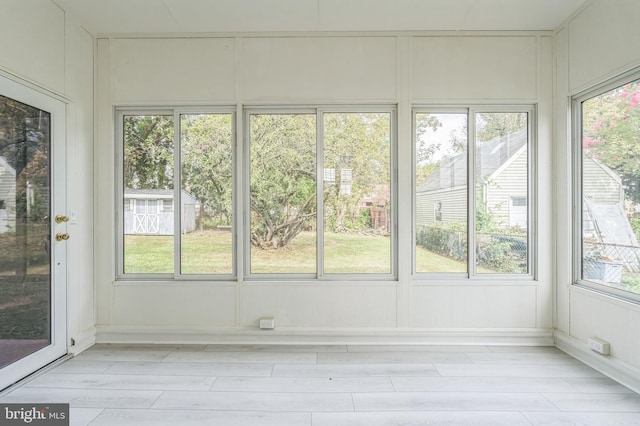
442 197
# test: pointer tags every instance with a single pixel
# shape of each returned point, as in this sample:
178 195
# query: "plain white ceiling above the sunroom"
190 16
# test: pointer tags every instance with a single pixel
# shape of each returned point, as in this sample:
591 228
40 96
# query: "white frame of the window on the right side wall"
577 174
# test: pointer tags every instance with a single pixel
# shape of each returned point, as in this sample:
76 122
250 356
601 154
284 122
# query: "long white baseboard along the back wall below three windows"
168 335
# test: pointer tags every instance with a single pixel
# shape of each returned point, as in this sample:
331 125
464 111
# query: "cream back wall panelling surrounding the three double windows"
326 68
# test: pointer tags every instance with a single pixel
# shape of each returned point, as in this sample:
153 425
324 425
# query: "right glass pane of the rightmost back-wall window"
501 192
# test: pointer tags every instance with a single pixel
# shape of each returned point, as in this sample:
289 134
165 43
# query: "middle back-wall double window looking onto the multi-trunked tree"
342 225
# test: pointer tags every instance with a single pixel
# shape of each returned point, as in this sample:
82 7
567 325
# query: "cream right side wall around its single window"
599 43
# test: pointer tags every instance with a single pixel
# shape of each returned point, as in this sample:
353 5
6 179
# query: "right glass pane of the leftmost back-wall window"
206 209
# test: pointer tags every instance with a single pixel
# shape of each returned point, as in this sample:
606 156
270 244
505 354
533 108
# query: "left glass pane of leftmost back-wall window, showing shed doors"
148 193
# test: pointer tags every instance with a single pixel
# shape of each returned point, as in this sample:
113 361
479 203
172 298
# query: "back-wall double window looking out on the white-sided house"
484 231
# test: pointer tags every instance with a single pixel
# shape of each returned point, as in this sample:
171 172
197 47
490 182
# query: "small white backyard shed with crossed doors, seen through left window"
151 212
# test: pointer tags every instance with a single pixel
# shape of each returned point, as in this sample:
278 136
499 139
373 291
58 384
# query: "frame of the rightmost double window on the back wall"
471 111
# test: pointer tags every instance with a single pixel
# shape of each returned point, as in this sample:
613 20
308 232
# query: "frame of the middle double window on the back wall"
319 110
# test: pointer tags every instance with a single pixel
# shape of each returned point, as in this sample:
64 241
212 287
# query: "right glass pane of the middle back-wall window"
357 192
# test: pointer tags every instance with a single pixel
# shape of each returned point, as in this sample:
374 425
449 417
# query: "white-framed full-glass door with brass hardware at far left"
31 319
